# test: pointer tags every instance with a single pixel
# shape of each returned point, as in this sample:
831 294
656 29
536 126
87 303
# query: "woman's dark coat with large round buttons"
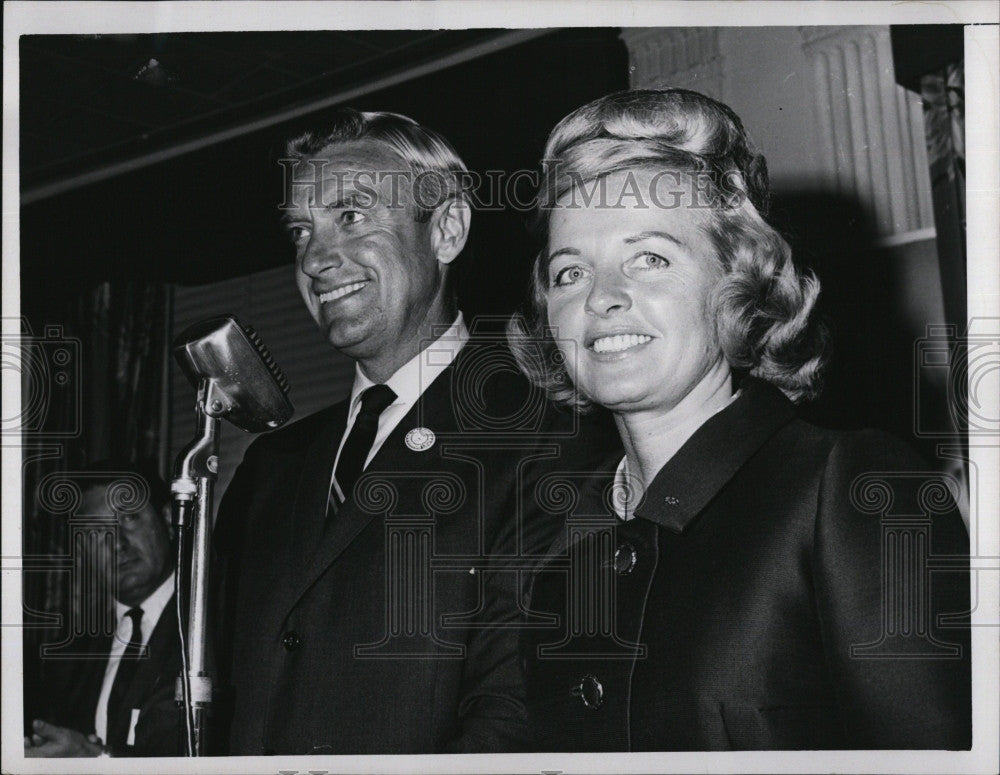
781 587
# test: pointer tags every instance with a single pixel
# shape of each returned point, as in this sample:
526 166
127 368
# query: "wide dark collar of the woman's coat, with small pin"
713 455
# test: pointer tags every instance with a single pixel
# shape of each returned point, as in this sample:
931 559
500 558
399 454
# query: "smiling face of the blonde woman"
629 291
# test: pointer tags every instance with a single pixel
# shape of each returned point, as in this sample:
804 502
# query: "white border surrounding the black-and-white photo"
983 120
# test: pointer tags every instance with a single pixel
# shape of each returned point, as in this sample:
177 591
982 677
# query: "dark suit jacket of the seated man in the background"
73 687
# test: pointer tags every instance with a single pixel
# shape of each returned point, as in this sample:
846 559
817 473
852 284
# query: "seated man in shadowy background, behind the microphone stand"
112 694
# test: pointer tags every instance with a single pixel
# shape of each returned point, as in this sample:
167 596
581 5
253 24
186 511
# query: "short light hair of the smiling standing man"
435 170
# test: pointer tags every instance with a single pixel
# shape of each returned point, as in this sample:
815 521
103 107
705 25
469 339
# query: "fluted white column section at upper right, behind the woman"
871 129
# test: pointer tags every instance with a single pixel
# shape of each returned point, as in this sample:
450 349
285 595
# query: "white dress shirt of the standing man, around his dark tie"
408 383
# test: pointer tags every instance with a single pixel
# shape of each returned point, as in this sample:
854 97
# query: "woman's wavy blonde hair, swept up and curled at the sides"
763 305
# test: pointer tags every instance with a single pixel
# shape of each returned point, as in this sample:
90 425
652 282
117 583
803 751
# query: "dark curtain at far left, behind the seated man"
92 372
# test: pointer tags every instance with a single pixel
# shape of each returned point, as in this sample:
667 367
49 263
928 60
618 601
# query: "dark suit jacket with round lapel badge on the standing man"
390 629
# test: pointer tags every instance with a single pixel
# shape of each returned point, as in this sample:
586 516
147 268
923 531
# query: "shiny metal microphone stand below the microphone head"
195 472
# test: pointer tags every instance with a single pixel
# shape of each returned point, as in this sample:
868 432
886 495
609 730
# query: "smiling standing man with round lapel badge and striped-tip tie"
372 554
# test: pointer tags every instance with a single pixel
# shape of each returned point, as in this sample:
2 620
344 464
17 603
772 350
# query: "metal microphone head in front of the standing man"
249 389
